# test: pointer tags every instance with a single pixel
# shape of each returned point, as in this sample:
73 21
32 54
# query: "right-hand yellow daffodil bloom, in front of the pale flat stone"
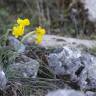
40 32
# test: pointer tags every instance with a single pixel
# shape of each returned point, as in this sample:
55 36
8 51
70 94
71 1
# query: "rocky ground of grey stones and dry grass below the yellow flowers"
56 67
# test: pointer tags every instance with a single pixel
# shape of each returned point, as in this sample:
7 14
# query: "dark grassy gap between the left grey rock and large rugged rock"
40 53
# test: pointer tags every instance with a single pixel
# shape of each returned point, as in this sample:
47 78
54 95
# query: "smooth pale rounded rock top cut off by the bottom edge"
65 92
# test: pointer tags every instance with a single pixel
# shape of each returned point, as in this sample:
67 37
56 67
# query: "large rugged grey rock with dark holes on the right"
80 66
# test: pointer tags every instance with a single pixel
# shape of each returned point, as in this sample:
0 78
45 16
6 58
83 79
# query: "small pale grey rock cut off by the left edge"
3 80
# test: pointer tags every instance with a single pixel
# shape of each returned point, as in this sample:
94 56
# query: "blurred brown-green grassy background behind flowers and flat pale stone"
59 17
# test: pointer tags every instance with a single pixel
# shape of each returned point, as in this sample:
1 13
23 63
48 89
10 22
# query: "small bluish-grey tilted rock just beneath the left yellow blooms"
16 44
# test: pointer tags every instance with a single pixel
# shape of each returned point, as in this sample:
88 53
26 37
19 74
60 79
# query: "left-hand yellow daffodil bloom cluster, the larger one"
18 30
